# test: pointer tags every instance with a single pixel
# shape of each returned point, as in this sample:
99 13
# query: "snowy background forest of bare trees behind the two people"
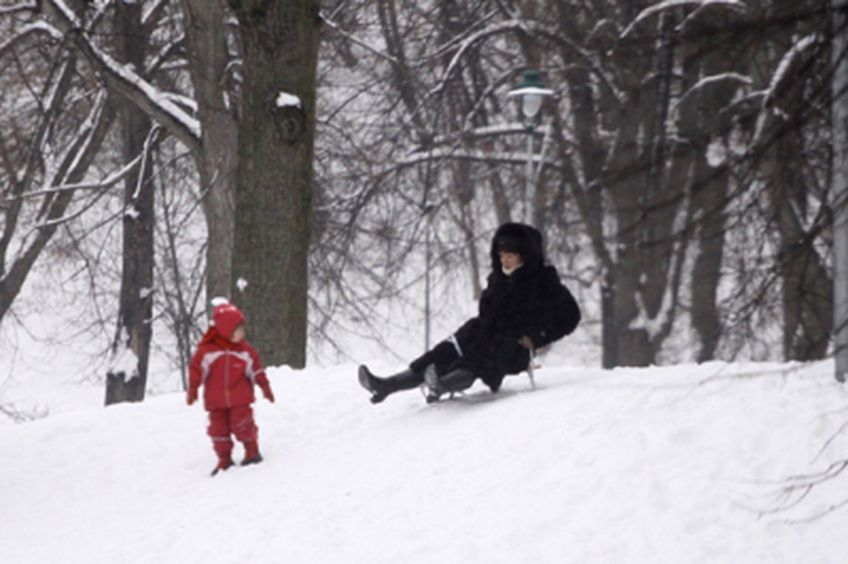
682 172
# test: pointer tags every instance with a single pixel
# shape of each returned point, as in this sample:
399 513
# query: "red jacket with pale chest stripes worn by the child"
226 370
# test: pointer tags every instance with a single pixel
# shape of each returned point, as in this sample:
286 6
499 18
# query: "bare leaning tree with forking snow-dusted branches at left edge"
47 158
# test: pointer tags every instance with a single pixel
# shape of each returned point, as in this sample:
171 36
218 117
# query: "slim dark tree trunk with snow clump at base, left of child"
135 316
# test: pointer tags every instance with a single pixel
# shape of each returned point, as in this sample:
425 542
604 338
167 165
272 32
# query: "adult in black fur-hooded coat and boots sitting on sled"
524 307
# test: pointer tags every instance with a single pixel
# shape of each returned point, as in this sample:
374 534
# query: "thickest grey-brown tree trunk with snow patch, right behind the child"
275 173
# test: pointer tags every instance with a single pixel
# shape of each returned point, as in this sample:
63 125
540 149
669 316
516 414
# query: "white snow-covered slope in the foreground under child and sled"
672 464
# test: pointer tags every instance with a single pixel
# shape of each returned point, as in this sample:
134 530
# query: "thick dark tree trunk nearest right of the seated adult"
641 210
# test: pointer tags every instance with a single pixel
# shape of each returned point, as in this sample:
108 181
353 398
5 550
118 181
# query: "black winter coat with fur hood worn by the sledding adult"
530 302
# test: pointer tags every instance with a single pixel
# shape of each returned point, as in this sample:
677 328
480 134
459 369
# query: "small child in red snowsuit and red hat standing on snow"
228 366
